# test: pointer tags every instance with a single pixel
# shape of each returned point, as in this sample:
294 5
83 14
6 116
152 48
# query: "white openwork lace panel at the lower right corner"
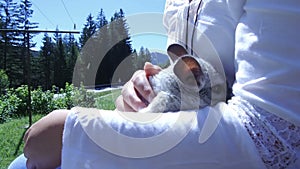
275 138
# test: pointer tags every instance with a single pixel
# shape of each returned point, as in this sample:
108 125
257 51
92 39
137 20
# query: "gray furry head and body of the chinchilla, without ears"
174 95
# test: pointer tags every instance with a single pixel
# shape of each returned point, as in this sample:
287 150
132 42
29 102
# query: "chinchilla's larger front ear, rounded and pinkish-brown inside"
189 71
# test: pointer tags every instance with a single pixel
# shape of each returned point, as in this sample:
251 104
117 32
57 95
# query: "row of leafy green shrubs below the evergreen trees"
14 102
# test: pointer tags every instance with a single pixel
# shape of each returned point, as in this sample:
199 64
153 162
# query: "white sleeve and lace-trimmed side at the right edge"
267 53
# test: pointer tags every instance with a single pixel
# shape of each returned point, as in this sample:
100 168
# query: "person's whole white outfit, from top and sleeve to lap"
258 128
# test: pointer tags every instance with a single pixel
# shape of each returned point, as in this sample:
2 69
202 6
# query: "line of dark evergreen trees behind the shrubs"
103 54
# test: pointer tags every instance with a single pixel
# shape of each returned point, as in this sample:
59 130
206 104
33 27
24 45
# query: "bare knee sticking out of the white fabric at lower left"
43 141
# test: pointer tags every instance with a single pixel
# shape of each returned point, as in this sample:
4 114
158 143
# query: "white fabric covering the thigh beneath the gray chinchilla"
95 139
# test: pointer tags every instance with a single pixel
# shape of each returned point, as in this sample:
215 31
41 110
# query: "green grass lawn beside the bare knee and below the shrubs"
11 132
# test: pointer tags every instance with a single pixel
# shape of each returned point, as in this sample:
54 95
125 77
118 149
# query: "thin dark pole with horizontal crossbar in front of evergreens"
28 59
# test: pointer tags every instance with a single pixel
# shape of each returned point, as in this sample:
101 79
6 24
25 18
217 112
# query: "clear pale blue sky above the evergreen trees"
52 13
